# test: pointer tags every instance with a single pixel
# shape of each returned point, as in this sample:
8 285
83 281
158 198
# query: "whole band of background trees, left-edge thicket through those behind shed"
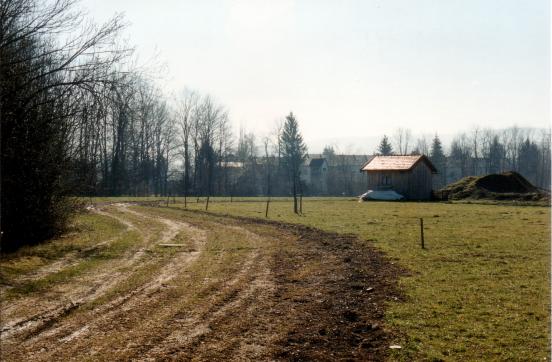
80 118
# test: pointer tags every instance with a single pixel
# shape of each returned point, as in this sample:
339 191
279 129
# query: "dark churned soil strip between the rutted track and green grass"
331 290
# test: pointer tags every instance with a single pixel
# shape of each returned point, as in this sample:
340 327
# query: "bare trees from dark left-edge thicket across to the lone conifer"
78 118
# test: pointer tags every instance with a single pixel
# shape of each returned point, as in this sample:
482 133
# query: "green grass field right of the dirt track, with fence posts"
479 291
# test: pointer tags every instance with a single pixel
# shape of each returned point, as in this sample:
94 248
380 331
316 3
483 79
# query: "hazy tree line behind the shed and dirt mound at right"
480 151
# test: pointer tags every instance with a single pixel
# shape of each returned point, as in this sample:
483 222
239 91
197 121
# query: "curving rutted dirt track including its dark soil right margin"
236 289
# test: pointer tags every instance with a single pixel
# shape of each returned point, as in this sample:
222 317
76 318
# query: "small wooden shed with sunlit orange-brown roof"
410 176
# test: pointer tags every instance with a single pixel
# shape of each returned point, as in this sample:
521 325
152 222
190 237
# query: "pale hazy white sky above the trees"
351 71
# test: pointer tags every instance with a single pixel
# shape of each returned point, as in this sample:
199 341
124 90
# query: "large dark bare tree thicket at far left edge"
45 84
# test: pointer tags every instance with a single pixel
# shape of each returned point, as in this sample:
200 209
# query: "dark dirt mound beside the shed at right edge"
505 186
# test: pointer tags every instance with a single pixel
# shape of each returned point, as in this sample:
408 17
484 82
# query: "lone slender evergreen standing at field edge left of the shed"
294 154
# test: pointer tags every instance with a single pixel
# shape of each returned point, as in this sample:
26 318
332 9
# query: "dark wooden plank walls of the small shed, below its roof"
415 184
